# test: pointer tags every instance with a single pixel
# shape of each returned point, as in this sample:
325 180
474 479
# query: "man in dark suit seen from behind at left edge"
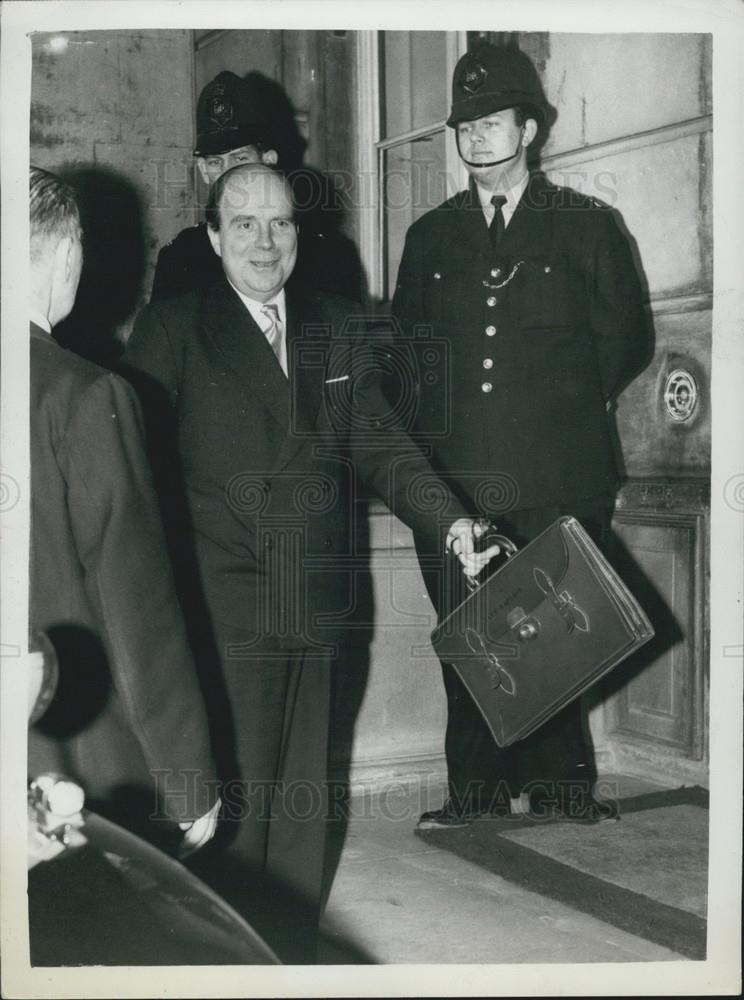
127 720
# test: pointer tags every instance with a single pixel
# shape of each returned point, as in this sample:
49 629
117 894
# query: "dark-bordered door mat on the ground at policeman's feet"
645 874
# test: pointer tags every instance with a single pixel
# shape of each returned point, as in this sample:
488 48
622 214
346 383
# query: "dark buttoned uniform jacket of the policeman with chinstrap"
540 333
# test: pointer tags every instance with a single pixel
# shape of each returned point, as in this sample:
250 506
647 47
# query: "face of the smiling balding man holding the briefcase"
257 236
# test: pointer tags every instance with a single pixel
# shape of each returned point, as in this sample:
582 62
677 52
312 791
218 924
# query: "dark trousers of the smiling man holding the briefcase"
267 859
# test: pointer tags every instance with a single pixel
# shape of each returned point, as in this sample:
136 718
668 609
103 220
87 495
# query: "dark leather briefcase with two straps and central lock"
543 628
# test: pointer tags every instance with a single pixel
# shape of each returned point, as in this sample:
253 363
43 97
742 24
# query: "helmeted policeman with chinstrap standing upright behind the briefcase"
534 292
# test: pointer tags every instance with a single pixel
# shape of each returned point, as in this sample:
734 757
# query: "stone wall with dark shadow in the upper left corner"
113 112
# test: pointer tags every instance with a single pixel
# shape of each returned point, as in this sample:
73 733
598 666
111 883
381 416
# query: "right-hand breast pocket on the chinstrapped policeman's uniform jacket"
547 294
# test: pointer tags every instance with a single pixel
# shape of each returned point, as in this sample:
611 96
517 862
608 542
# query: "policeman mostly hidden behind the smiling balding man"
249 120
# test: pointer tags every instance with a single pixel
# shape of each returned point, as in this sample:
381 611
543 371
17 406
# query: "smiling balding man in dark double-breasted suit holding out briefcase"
278 414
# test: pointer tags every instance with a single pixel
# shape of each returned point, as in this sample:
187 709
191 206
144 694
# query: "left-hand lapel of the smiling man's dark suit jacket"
243 346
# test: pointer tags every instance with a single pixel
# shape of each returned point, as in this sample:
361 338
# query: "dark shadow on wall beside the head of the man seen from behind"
111 286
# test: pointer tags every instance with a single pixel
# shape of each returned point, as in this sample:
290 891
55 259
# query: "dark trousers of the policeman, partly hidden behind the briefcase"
480 774
